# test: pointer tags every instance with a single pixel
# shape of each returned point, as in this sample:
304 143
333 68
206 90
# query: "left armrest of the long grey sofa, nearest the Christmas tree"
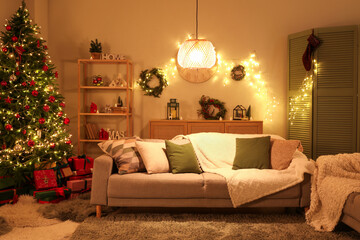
101 173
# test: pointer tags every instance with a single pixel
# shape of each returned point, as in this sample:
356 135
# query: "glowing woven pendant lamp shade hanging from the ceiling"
196 53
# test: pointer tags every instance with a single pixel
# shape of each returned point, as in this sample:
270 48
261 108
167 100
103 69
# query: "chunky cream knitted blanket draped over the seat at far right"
335 178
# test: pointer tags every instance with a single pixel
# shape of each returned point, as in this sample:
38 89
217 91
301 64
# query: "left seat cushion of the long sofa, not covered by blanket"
160 185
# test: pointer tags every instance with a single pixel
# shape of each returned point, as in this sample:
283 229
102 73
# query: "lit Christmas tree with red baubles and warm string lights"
33 122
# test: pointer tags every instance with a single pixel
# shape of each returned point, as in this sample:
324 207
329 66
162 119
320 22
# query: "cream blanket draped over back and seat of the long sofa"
216 152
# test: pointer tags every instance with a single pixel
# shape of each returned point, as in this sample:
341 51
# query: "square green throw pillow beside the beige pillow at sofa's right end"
252 153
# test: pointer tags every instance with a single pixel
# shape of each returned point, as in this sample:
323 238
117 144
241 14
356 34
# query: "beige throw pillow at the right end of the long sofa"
282 152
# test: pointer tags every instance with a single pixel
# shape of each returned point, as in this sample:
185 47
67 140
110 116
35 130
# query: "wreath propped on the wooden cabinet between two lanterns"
208 106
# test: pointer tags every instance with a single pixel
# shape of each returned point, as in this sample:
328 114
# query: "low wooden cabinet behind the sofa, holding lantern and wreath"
167 129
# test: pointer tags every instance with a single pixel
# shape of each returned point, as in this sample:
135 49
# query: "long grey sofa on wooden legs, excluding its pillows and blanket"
205 190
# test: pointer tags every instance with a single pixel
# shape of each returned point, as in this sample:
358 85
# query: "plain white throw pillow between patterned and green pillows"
154 156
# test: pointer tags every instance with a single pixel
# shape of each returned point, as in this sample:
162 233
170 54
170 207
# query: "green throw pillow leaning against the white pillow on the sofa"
182 158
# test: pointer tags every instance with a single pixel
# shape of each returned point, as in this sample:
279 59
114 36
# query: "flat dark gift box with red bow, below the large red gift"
52 195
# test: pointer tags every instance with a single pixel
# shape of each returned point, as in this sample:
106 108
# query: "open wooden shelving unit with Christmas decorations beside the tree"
84 90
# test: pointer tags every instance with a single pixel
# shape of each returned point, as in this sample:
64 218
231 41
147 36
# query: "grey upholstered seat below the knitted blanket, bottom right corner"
351 211
